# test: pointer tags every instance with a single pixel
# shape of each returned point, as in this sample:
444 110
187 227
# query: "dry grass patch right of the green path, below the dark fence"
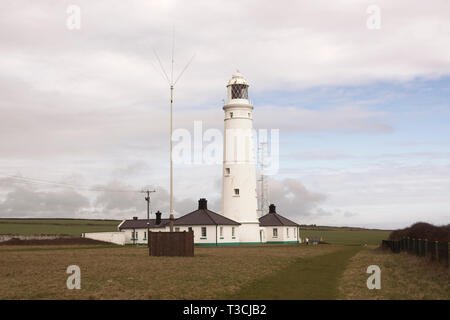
402 277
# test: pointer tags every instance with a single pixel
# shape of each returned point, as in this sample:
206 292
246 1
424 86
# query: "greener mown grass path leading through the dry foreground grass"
306 278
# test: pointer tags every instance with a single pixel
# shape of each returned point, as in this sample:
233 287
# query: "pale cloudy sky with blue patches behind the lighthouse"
362 111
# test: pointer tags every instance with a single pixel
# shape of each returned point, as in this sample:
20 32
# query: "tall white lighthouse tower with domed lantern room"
239 199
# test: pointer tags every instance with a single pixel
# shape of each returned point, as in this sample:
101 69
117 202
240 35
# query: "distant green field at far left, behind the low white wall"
55 226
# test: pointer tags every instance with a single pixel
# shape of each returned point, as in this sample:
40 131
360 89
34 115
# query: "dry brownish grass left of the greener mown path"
129 273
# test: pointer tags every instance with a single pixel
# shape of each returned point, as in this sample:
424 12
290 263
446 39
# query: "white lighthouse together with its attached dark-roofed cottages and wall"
239 222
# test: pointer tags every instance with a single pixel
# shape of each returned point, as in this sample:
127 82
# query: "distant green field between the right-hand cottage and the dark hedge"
346 237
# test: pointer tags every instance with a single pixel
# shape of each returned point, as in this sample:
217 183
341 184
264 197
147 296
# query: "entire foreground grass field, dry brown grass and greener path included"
253 272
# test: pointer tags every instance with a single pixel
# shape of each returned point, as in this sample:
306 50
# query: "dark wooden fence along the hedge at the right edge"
433 250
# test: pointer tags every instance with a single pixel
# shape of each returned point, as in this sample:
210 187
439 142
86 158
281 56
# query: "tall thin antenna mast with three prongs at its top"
172 83
